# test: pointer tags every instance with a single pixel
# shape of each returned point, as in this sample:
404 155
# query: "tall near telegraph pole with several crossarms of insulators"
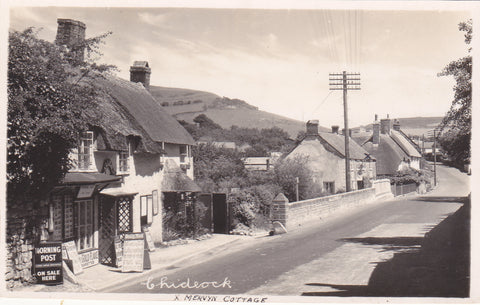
345 81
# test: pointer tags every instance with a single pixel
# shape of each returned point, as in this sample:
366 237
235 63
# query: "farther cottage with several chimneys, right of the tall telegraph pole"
392 148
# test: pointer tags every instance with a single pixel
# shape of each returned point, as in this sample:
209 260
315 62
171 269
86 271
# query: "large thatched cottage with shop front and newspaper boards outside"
133 161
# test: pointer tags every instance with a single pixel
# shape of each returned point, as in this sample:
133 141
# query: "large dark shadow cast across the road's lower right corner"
437 265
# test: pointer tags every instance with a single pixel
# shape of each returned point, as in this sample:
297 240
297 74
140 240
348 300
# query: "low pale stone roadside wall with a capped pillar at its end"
294 214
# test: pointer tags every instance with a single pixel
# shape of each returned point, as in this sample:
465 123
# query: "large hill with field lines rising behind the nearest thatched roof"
186 104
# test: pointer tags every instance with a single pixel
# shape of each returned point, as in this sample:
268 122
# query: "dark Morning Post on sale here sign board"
48 263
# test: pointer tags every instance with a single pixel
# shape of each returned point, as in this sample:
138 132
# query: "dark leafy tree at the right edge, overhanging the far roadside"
456 126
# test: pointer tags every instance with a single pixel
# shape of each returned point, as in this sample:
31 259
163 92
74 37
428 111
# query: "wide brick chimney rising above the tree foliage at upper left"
71 33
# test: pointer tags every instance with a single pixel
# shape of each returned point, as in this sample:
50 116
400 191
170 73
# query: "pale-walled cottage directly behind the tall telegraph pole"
326 158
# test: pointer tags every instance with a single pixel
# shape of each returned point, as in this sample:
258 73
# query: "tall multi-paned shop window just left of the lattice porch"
84 224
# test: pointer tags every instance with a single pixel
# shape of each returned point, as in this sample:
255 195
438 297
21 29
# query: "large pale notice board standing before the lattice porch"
133 251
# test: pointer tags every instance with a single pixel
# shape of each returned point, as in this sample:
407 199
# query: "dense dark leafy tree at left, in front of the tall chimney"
48 93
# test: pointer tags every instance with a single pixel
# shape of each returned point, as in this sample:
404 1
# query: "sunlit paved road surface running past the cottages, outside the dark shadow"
339 251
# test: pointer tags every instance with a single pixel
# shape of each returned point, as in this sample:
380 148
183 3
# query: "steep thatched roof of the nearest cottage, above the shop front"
125 109
